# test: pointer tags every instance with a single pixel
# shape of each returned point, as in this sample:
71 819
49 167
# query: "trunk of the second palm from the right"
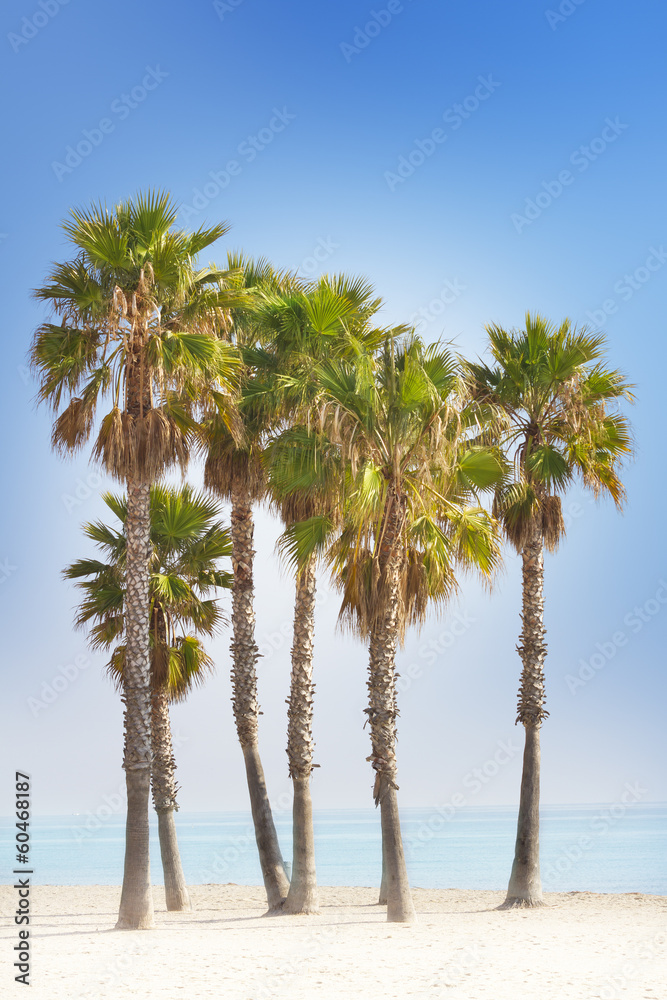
383 710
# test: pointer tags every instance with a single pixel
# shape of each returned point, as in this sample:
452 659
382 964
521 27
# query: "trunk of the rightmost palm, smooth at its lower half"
525 886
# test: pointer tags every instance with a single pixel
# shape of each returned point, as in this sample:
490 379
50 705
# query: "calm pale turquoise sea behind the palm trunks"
596 848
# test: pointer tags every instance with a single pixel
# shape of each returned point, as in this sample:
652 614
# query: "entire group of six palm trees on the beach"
376 450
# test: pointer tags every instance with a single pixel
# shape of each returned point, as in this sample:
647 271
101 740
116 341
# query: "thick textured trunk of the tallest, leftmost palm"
136 903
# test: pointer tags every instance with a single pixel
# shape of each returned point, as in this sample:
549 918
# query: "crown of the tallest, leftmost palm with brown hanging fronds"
139 324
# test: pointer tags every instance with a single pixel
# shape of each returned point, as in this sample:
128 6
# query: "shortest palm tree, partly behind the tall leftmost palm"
186 541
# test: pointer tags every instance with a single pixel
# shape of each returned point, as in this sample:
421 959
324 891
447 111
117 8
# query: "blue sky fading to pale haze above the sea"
475 160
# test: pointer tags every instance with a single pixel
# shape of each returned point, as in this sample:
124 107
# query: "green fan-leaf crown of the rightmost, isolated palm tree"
552 405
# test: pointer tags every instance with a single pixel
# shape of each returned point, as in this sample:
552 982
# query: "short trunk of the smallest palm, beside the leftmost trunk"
164 800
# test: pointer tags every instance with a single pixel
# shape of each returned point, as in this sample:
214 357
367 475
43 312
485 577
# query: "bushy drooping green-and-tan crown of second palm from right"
397 424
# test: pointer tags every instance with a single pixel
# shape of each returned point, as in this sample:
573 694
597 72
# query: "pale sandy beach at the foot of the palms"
580 947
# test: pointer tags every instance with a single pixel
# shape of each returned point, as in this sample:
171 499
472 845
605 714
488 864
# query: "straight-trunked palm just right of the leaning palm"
303 325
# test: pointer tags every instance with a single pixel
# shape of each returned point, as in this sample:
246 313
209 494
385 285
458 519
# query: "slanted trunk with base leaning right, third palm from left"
246 706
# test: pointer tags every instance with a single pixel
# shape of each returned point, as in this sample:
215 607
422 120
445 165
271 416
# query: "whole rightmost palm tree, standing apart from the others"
552 405
